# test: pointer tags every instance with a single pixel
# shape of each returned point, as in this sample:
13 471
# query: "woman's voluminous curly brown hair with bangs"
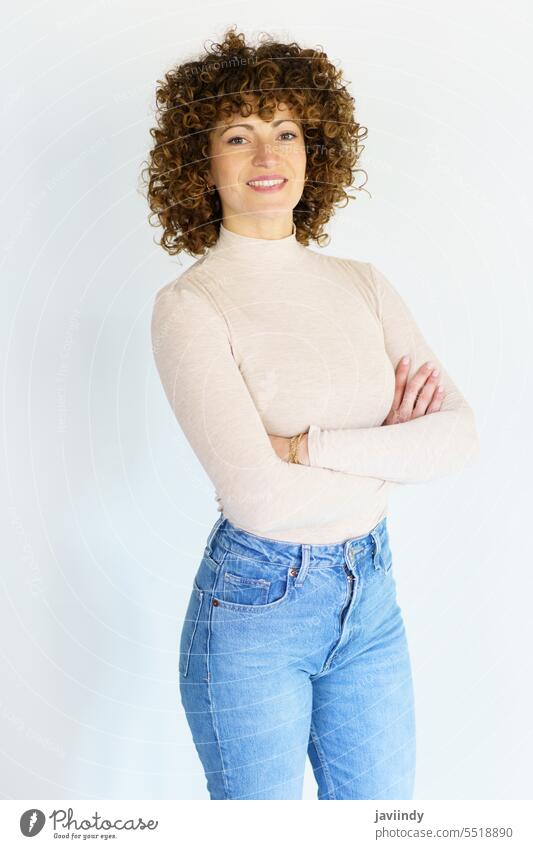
195 95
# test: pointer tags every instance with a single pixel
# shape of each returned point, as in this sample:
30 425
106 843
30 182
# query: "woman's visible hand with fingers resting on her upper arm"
416 397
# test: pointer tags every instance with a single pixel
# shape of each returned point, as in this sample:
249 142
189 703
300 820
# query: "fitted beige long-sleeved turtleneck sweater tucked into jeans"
267 336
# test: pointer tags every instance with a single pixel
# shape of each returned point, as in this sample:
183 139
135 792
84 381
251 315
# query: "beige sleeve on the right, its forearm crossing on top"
419 450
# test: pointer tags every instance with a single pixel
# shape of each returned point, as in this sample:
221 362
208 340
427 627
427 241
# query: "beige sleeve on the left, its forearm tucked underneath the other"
192 348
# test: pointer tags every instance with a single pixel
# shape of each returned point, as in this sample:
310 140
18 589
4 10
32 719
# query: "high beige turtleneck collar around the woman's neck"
234 246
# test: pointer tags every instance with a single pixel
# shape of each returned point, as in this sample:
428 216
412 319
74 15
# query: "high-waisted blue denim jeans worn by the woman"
291 649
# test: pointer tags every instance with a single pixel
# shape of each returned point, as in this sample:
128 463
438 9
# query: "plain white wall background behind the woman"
106 510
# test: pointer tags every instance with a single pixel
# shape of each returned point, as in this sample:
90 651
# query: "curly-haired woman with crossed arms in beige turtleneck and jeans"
284 368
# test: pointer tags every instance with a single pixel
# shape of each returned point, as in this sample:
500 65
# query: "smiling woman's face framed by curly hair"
250 149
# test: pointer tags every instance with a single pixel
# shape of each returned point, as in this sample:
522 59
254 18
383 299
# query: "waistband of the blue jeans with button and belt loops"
227 537
